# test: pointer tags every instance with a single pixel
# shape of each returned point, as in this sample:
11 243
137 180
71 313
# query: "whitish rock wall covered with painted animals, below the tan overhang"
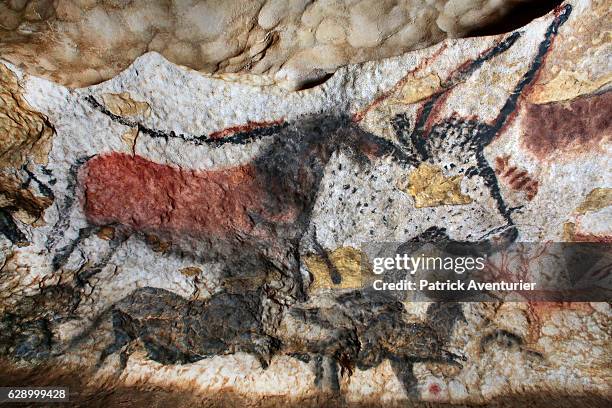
169 229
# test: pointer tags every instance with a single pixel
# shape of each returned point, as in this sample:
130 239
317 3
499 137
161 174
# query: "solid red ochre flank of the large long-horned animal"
147 196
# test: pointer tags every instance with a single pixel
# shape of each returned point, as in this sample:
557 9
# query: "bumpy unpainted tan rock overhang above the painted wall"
295 42
